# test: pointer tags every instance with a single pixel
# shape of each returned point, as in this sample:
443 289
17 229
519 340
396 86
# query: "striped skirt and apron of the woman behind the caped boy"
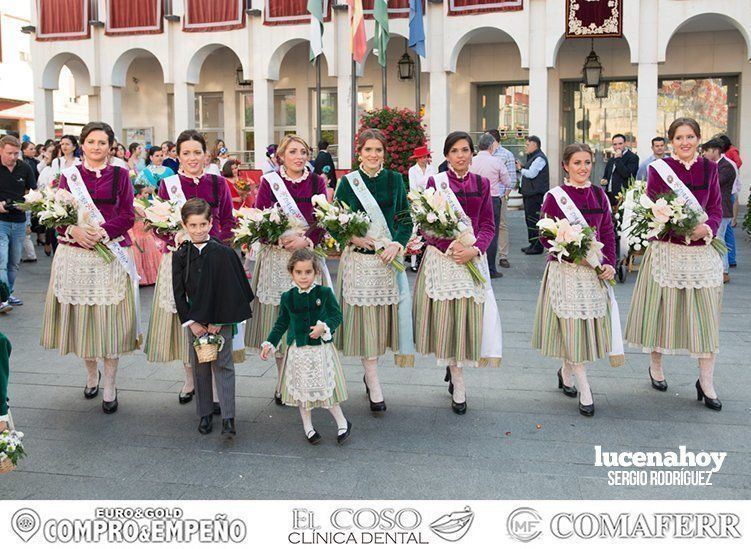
166 339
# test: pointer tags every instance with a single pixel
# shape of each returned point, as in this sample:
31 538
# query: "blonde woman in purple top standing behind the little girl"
270 276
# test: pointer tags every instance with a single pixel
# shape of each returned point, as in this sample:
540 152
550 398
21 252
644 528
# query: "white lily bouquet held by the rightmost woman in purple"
670 214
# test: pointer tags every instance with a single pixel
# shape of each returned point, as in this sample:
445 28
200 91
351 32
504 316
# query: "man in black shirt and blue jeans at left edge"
16 179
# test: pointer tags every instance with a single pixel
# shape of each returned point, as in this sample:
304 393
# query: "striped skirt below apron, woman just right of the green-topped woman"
450 328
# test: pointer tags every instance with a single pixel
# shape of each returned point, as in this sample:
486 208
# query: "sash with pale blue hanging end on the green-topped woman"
380 232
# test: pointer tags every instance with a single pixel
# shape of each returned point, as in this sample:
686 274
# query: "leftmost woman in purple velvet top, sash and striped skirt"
91 306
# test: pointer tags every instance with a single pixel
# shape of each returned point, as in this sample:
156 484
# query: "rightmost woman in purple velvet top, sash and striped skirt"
677 300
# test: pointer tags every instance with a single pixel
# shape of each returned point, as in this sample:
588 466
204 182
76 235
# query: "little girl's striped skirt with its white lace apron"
313 377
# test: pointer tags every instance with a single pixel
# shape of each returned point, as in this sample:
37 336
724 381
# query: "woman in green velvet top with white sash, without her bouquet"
373 296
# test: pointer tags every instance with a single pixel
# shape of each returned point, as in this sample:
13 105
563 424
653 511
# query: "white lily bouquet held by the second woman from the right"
572 242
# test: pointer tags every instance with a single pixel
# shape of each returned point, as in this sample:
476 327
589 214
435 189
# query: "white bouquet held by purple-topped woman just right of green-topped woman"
435 217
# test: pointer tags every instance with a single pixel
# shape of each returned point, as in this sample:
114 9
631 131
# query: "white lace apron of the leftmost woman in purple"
81 277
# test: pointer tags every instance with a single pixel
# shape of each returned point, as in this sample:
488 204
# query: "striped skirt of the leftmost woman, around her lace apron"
88 331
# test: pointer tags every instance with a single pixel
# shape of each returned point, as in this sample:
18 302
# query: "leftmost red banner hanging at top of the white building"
63 20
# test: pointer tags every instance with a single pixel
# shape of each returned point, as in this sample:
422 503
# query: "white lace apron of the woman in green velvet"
367 281
